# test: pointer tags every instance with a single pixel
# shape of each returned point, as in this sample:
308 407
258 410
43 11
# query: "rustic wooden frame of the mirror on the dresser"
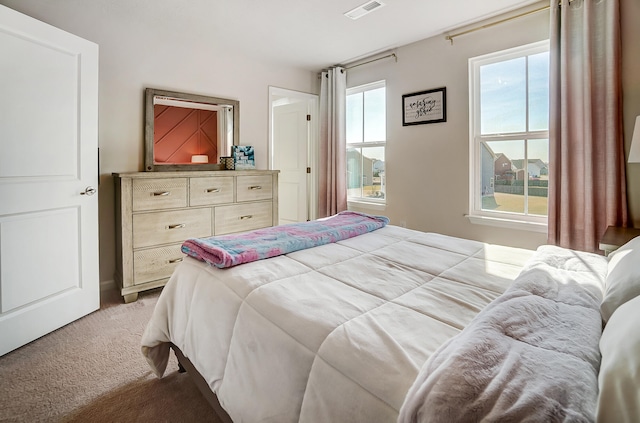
149 162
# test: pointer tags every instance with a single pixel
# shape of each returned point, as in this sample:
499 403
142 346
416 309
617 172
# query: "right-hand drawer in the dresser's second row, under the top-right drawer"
243 217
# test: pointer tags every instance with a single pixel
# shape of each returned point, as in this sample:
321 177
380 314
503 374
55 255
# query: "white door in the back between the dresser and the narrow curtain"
292 147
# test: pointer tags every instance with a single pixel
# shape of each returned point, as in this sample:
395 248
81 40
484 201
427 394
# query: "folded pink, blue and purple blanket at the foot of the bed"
230 250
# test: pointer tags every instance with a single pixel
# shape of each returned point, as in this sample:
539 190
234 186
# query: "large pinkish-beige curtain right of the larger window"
588 189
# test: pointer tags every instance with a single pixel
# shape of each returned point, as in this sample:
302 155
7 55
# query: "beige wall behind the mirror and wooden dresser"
135 53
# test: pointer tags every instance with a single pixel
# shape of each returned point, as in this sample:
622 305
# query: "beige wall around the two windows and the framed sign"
427 166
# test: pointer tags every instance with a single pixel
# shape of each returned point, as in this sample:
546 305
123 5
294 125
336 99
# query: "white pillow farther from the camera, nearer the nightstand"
623 277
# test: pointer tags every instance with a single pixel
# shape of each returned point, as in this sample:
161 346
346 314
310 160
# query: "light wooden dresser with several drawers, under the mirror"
157 211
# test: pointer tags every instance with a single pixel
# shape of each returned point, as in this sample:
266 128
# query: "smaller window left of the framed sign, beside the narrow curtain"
366 140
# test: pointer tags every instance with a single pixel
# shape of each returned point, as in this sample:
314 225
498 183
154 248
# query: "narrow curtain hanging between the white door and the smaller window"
332 190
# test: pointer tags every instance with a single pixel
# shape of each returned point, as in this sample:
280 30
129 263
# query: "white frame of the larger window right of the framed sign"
476 214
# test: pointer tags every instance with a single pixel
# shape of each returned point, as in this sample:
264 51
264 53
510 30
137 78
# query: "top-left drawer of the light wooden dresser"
161 193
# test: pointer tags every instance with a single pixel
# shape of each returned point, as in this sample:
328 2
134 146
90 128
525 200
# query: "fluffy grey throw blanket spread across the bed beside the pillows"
531 356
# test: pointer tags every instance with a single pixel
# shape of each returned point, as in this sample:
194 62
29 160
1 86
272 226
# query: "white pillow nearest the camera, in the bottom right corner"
619 378
